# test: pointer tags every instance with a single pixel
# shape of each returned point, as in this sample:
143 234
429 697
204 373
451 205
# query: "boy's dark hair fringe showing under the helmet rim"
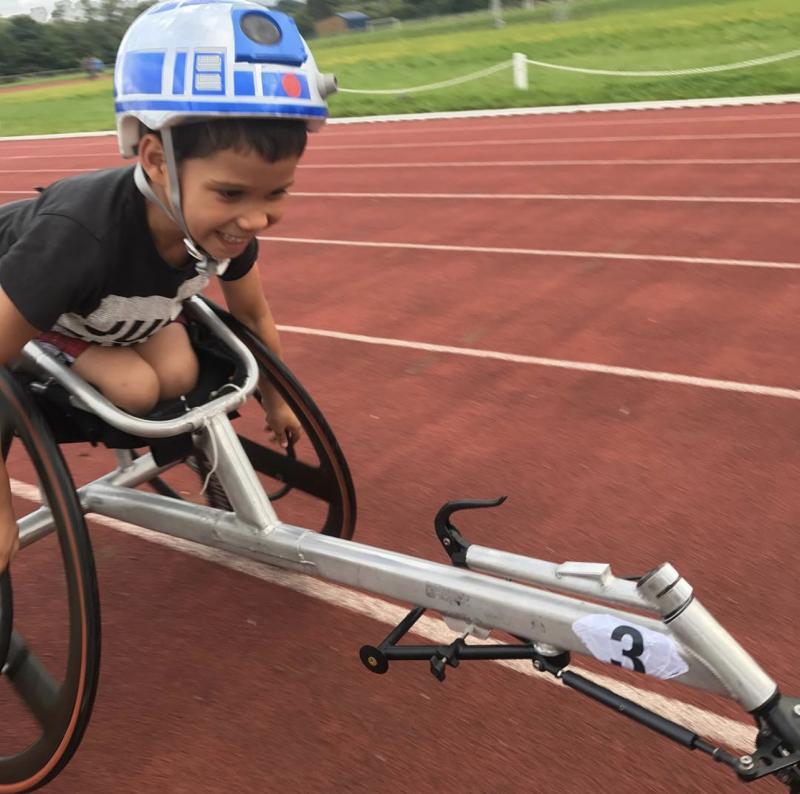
271 139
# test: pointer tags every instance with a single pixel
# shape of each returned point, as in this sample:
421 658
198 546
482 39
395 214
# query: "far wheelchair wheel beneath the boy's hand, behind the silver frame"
312 481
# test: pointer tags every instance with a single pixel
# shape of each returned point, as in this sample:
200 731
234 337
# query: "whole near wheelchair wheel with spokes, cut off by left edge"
48 683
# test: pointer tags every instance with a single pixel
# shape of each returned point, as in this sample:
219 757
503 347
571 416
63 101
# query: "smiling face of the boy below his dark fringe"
227 198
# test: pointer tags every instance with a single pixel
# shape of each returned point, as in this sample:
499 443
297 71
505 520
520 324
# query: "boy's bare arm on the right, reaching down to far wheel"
247 303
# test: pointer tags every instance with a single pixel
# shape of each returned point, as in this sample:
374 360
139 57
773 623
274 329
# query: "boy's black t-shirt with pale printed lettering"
80 259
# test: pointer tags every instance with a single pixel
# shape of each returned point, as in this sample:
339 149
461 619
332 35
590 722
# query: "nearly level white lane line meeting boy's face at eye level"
558 197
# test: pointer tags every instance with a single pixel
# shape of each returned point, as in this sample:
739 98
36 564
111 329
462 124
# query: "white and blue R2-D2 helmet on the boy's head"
195 60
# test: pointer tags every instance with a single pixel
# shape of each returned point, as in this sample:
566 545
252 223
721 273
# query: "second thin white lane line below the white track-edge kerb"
745 136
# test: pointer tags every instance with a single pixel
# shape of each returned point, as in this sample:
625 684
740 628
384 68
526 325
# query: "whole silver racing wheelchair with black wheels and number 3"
551 610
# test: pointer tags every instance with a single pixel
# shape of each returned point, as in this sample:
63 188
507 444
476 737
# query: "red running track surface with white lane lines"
215 680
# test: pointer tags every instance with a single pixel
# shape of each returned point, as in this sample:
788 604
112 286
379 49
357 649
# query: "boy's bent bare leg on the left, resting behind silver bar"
121 375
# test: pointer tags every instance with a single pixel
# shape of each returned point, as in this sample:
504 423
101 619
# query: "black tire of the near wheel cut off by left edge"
60 708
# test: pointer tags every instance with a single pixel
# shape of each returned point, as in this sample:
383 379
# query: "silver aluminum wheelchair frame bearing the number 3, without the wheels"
482 589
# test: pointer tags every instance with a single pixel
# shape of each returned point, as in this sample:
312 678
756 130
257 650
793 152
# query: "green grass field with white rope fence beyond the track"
605 34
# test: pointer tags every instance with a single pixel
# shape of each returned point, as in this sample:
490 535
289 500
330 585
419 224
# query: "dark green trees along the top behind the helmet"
28 46
